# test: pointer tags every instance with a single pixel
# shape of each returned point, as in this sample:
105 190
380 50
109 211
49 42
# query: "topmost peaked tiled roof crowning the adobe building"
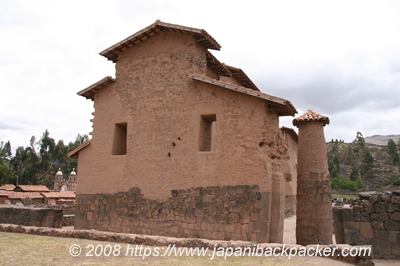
201 36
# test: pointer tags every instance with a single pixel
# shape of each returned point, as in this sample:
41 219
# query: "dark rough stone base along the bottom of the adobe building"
224 213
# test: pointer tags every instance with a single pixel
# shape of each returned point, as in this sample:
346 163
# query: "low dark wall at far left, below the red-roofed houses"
31 216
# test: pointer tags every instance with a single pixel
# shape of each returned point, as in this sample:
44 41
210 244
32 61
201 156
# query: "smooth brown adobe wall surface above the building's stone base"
162 109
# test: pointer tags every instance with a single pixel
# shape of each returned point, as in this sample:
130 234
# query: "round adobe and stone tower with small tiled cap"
314 198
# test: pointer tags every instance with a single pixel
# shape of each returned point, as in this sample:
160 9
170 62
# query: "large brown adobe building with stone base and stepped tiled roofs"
182 145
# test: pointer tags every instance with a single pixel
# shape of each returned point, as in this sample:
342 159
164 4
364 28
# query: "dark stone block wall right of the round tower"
373 219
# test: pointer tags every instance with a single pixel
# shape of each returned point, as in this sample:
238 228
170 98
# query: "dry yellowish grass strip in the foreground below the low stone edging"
25 249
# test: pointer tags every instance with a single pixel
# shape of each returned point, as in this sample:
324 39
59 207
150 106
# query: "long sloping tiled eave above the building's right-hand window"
281 106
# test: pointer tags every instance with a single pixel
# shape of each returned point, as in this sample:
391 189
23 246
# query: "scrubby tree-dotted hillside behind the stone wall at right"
368 166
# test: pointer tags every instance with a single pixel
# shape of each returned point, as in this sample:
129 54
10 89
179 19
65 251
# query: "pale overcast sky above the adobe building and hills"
339 58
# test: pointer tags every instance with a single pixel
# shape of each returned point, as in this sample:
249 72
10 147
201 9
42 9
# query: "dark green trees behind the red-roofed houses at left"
37 163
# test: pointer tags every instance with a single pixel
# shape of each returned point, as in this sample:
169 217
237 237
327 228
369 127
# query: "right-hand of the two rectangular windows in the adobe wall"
208 133
